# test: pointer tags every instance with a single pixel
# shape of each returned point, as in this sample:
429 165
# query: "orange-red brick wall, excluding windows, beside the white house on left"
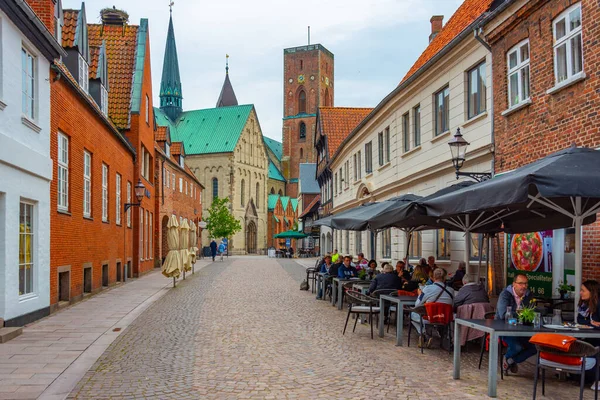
76 240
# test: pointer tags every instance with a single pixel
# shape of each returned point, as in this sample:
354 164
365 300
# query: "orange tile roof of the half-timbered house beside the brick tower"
338 122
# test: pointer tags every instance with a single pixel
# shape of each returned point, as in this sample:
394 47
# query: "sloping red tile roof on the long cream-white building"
466 14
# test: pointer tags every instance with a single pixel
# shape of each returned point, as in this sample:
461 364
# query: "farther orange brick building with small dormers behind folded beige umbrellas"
178 190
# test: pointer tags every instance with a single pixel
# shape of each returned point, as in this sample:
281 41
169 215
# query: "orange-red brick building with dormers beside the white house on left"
90 241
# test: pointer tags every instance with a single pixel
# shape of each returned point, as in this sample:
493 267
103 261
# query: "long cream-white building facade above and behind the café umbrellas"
402 147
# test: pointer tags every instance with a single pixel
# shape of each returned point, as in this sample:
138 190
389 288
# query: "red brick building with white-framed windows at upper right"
546 58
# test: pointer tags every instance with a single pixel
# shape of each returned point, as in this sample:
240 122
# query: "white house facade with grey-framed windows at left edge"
26 50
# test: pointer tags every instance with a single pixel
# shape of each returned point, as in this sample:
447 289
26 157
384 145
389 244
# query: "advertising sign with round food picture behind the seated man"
531 253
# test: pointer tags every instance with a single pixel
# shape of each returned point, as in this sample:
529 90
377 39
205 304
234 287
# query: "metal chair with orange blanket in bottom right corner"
551 358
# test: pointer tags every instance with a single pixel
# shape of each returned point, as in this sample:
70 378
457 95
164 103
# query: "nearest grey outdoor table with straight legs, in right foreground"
497 328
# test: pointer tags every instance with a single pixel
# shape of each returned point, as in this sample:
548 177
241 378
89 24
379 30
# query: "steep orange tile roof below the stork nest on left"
120 52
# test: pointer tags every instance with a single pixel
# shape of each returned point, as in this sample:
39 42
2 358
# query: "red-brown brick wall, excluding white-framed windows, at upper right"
552 121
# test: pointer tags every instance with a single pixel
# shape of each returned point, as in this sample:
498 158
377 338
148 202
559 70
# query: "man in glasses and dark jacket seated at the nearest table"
519 348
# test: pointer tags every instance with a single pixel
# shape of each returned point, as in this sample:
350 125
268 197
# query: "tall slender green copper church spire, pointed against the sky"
170 84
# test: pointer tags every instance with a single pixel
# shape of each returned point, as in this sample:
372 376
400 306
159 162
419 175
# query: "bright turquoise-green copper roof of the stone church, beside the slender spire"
212 130
